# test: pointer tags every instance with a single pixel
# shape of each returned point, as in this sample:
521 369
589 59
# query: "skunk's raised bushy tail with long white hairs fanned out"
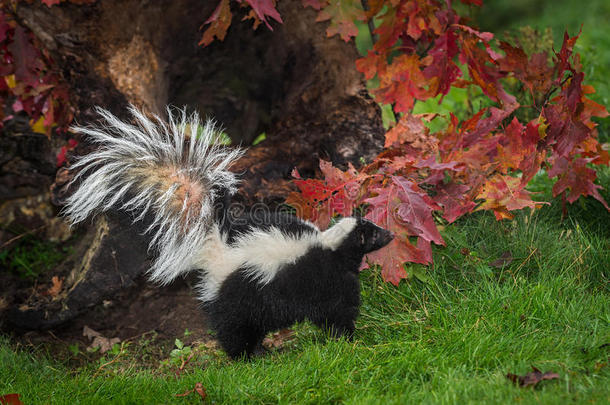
171 170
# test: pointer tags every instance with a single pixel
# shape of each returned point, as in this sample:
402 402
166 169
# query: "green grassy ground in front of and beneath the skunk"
450 335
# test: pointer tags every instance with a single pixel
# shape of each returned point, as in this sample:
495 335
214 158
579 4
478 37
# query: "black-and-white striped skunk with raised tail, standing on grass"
260 271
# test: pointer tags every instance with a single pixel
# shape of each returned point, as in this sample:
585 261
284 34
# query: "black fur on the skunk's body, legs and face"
322 286
